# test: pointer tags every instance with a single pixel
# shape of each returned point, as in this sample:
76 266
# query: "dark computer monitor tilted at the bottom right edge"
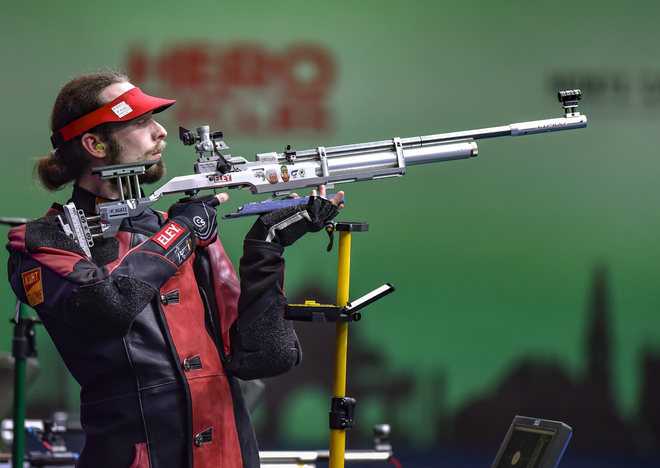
533 443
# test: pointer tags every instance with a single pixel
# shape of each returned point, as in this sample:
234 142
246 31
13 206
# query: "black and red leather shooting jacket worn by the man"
156 343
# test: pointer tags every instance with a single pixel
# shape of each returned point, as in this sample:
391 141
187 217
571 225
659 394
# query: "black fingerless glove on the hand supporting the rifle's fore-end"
285 226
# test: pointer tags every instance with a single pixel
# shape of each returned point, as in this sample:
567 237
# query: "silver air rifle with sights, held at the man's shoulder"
281 173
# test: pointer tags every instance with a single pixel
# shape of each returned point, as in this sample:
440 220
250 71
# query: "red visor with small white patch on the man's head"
128 106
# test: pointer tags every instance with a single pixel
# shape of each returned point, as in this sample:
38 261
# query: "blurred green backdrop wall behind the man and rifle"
492 257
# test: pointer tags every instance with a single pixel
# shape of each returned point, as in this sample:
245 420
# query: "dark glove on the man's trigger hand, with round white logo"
199 216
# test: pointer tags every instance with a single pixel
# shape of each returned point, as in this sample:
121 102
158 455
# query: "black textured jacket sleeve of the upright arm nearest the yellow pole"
264 344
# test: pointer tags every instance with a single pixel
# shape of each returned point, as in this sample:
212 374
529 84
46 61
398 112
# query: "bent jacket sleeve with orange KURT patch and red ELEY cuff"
48 271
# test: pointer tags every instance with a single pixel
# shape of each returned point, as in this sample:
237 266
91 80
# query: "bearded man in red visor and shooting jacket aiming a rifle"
154 326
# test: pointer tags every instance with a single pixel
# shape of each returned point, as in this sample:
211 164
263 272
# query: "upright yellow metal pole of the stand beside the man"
338 436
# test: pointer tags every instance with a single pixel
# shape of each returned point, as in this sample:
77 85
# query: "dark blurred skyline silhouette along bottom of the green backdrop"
535 386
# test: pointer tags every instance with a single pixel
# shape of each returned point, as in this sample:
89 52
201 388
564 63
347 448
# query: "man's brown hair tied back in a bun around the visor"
78 97
